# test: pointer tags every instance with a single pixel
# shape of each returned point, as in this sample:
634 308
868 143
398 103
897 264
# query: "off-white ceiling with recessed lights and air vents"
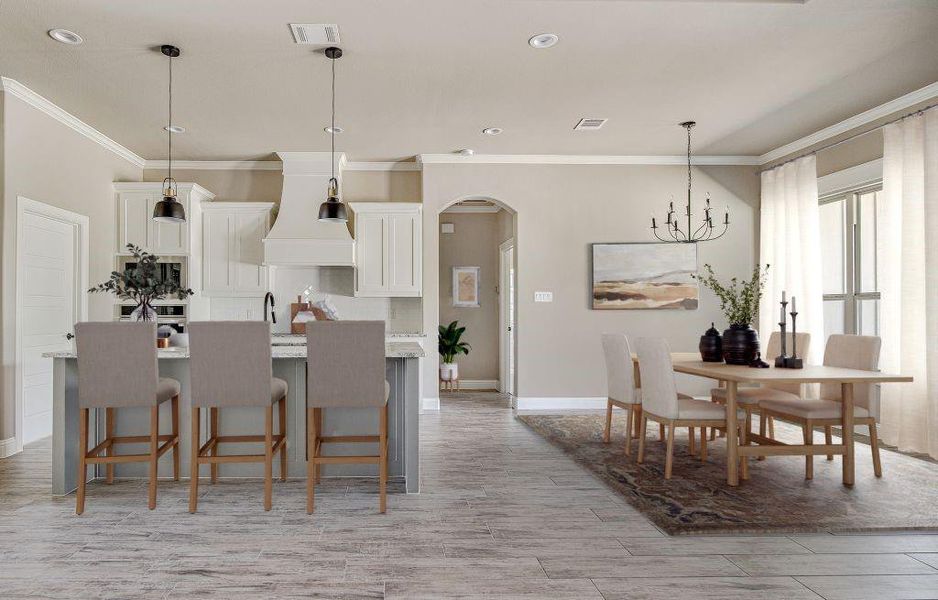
426 76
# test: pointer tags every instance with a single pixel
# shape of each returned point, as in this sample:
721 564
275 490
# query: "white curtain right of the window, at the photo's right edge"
907 257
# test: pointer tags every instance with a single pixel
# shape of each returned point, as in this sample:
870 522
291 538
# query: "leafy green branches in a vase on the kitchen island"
141 285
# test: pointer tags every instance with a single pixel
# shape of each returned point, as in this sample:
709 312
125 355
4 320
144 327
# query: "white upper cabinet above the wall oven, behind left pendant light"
135 202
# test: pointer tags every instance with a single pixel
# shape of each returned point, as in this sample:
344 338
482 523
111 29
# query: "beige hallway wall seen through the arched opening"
474 243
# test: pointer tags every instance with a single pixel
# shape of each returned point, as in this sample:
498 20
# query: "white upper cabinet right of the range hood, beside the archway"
388 249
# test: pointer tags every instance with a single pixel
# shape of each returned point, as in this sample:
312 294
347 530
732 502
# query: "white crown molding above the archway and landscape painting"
583 159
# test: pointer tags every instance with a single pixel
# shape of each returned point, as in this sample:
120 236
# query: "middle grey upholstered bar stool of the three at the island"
230 366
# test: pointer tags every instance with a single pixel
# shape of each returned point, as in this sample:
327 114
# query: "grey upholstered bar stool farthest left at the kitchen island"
117 368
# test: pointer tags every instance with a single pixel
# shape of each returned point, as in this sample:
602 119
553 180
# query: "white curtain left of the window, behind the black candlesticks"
791 245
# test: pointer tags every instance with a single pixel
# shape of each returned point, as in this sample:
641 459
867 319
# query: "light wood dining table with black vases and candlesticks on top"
737 463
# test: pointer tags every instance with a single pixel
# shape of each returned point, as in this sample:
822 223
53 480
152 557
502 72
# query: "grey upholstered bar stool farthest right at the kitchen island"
345 369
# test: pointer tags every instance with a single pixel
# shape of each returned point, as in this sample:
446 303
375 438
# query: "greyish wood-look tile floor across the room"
503 514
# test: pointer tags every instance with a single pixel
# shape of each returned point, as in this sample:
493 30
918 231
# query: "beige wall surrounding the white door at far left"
46 161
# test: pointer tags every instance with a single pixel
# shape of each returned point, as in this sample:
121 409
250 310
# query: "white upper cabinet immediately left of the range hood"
233 248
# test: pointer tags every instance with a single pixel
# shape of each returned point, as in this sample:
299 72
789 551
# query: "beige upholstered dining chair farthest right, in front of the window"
846 351
